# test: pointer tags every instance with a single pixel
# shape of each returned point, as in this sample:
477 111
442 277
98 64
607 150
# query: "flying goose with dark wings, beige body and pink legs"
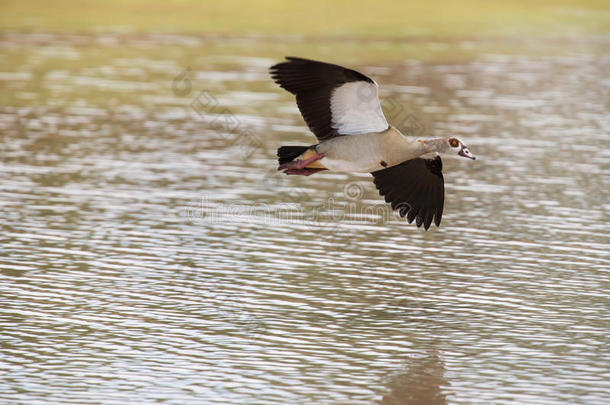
342 109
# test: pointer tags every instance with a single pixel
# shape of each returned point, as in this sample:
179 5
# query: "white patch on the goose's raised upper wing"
355 109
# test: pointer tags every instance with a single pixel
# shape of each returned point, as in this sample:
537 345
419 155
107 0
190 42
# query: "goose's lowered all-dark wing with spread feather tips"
415 188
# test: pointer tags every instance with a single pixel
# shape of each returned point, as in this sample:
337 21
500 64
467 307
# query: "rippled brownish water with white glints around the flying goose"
151 253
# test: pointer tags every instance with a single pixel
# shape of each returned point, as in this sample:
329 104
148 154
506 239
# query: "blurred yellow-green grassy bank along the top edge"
314 18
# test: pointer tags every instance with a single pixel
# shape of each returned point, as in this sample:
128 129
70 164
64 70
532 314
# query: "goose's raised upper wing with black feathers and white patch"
332 99
